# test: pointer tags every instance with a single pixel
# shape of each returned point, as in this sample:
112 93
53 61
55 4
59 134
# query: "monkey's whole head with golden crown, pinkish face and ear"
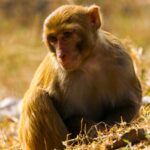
70 33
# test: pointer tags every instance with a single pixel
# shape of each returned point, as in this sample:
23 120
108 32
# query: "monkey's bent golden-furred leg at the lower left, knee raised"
41 127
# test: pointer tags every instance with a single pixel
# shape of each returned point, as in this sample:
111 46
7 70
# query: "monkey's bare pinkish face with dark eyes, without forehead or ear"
65 44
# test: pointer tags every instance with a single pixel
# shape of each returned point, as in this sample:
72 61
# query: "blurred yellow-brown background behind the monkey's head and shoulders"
21 46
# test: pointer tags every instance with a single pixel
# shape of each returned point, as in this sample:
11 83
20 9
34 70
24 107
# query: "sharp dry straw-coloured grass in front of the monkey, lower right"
115 133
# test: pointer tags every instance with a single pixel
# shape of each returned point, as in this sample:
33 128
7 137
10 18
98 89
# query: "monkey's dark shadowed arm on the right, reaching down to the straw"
126 110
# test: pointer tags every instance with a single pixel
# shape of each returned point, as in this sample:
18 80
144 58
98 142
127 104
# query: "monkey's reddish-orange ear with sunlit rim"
94 15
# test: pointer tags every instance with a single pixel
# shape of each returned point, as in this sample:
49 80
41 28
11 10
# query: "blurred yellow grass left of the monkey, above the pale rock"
21 50
